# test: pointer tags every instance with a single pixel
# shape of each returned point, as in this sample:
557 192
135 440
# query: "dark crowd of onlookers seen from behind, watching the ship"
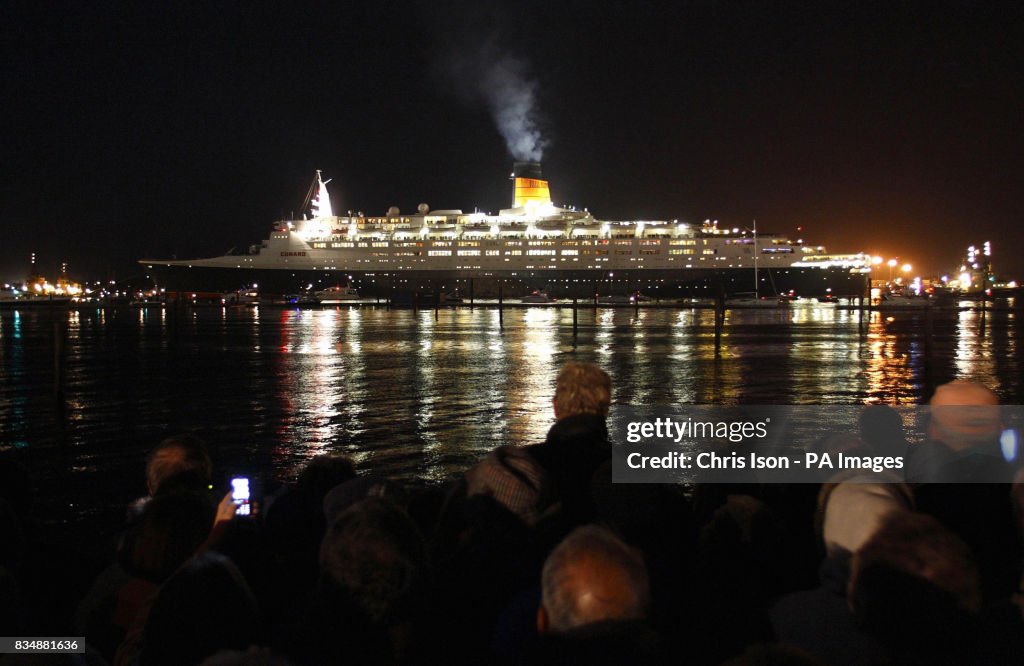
535 557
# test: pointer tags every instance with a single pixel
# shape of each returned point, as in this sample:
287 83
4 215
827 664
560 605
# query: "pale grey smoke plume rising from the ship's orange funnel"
511 98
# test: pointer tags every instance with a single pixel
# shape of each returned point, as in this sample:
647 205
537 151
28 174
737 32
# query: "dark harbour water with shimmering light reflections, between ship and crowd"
419 395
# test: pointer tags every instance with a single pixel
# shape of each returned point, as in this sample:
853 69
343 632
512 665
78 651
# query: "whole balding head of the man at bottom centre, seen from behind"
592 577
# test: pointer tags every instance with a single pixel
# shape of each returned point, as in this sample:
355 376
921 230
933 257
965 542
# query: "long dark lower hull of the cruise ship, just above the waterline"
802 282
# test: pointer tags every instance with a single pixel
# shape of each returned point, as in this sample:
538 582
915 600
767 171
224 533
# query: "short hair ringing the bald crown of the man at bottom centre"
563 589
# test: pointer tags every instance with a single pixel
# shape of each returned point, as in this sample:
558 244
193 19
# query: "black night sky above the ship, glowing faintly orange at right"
893 129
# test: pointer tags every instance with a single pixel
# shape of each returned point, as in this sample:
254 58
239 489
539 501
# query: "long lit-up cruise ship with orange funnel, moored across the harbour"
533 245
